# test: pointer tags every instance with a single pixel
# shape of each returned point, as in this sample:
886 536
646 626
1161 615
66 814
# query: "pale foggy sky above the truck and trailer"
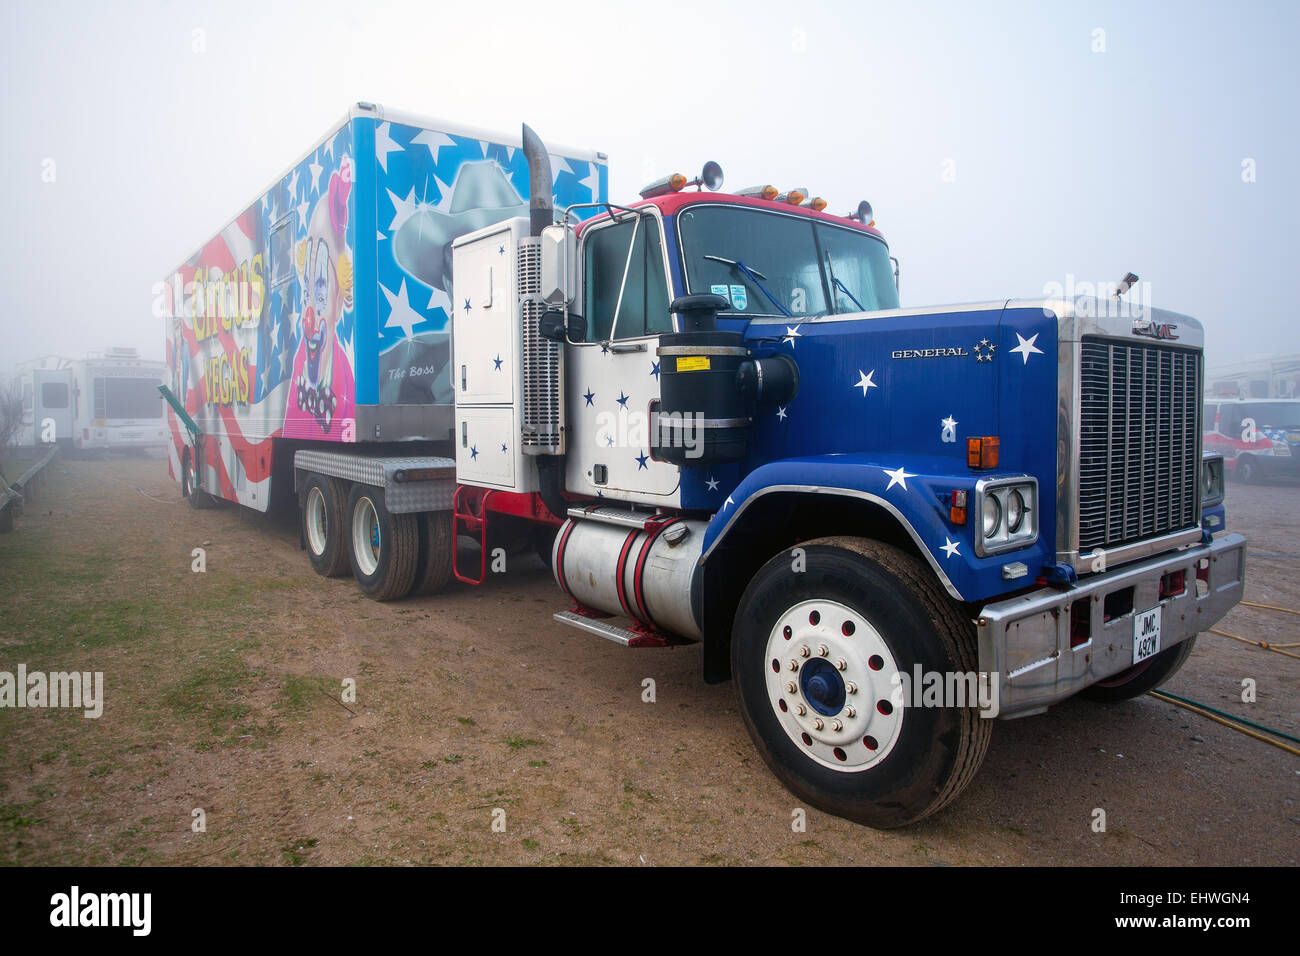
1000 152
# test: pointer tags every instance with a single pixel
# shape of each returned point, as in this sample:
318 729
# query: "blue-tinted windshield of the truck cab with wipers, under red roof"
769 263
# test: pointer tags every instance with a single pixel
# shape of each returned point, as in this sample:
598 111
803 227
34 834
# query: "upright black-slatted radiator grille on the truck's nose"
1139 442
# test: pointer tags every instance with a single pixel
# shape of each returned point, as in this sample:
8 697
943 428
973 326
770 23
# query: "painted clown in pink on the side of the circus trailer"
323 377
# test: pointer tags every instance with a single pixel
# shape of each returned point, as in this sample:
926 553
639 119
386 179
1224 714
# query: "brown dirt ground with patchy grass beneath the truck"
223 697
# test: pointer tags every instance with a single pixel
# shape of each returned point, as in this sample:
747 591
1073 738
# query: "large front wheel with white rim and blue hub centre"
817 643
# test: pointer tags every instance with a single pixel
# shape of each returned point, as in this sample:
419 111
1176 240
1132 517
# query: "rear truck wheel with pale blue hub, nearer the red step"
385 547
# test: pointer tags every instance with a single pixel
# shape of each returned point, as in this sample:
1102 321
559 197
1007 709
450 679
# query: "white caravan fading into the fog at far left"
106 403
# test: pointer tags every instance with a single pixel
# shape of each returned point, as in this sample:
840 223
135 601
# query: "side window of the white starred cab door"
644 310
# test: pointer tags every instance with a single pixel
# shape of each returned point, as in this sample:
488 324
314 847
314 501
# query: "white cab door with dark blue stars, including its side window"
613 378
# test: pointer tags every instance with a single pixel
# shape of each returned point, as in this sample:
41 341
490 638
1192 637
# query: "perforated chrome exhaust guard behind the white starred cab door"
541 365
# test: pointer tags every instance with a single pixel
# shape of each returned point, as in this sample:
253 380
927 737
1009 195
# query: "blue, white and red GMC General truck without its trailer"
886 526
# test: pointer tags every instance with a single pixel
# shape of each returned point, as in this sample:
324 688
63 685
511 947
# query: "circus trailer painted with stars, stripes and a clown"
318 322
